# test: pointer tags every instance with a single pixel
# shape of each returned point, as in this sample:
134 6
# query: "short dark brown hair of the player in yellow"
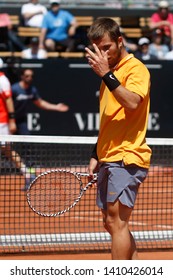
103 25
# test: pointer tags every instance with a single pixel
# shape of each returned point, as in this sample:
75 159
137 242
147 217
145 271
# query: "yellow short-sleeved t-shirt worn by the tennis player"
122 133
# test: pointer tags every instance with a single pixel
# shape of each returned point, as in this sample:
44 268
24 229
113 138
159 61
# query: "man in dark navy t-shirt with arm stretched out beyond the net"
23 93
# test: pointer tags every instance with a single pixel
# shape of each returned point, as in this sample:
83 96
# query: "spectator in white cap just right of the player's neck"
143 50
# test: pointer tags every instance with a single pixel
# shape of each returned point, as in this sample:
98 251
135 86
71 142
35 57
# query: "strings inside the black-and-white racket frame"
54 192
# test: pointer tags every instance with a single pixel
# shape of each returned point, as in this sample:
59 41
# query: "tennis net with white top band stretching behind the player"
81 229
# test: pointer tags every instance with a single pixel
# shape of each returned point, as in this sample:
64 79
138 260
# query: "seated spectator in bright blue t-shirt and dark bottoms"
58 29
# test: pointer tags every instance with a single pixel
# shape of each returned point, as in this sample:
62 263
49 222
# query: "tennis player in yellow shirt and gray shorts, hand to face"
121 152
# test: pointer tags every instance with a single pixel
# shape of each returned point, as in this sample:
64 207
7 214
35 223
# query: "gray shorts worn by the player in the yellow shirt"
119 181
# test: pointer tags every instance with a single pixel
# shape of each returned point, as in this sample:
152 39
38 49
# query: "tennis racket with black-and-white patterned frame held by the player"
54 192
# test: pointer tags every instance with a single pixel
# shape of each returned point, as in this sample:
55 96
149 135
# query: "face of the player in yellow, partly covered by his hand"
112 48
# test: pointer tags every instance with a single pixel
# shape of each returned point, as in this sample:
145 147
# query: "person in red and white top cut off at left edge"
8 126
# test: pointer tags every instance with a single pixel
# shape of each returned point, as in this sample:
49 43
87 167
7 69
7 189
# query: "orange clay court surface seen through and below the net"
79 234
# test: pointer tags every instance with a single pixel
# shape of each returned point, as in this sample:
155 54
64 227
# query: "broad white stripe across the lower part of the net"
78 238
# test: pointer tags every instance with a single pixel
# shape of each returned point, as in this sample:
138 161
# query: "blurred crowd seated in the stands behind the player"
59 32
